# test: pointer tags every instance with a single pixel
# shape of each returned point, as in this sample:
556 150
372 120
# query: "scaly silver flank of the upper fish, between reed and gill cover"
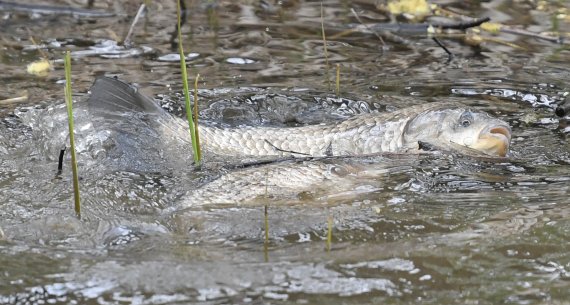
365 134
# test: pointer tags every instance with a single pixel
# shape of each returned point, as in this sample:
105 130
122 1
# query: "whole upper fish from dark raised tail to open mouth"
444 125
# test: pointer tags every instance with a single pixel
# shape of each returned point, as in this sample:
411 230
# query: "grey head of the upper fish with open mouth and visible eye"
463 128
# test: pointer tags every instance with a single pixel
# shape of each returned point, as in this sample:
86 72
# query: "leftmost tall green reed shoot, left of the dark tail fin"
69 103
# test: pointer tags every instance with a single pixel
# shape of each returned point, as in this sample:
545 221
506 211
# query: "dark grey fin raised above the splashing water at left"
110 96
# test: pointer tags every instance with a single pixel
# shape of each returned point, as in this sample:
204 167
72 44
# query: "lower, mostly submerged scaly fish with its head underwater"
324 180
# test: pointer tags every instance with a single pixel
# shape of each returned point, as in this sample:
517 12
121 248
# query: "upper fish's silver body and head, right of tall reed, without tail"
446 125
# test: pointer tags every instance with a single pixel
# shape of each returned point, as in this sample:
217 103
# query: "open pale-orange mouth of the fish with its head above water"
494 140
